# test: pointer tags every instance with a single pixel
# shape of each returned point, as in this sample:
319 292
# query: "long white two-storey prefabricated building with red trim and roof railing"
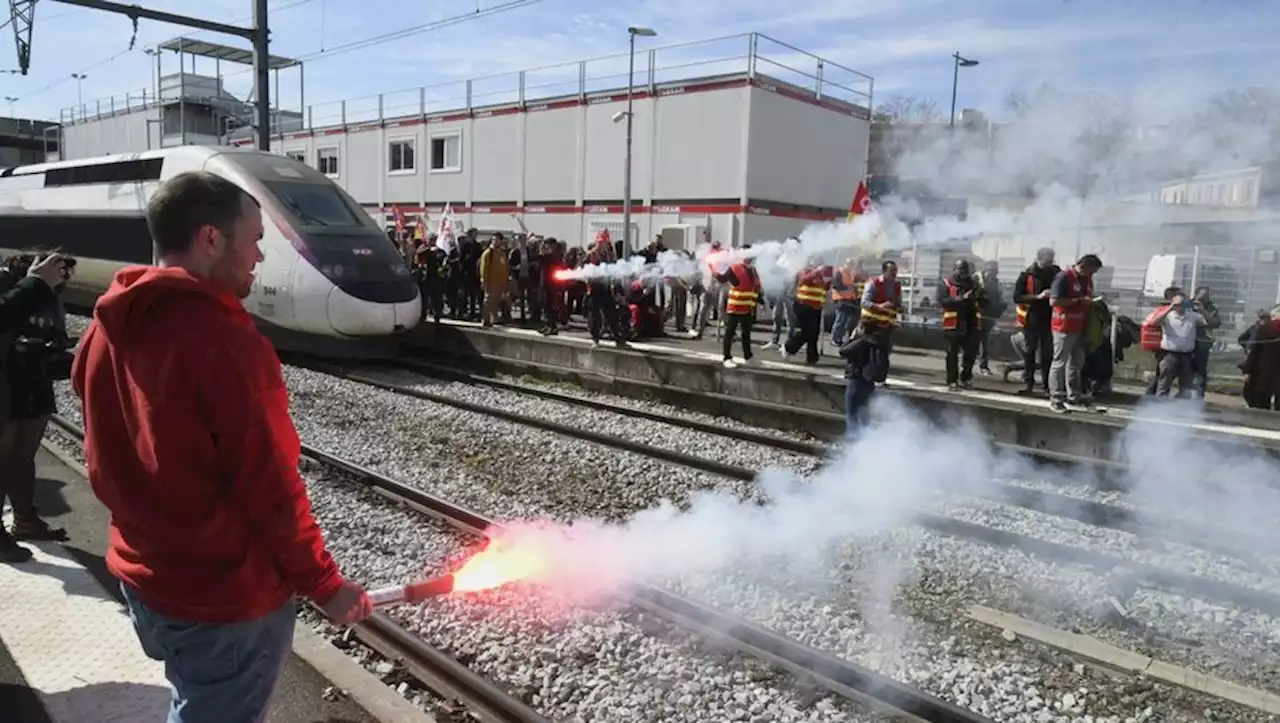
742 149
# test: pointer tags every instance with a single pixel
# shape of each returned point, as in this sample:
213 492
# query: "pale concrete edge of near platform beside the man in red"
364 688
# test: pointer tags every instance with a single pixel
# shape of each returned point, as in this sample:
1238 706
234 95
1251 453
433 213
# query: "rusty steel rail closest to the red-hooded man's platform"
435 669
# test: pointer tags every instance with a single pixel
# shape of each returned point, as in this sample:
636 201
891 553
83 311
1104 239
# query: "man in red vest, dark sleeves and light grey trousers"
1071 298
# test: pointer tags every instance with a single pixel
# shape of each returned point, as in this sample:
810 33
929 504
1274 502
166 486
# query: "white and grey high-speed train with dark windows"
331 280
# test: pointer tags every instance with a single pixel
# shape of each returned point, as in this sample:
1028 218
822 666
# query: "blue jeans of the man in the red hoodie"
221 674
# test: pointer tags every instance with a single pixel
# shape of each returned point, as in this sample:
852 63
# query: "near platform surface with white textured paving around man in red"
68 653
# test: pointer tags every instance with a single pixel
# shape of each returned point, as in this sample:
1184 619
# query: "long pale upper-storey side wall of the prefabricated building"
687 145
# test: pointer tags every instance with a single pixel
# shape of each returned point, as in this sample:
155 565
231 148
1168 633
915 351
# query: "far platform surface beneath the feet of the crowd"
1226 417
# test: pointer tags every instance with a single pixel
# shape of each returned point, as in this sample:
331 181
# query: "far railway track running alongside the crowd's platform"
1136 574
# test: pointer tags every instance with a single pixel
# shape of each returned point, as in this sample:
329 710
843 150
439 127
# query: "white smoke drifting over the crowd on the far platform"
1071 166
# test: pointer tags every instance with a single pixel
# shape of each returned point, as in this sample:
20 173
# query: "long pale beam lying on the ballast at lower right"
1127 661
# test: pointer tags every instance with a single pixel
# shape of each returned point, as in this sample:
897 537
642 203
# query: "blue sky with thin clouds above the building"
1194 48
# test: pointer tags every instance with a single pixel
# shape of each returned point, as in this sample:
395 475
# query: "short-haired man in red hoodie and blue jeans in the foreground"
190 446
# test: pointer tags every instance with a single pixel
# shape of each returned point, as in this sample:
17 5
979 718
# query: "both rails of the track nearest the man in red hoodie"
446 676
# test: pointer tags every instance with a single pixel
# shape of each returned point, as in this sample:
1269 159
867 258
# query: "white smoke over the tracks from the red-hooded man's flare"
877 484
